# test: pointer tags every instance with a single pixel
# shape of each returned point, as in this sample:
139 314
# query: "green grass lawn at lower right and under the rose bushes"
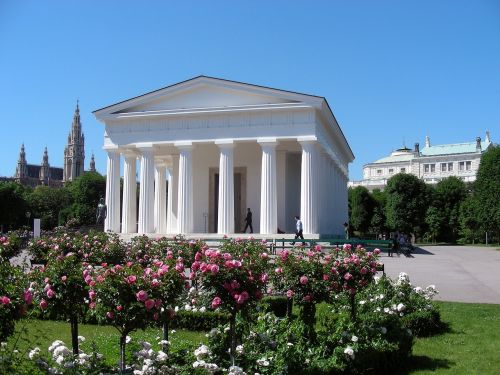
469 347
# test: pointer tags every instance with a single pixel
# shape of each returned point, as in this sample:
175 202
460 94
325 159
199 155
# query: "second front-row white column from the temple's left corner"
146 191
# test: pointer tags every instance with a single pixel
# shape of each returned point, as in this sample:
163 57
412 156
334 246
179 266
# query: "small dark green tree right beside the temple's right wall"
361 208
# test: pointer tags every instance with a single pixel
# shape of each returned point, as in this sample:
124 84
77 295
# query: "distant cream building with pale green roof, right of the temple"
431 164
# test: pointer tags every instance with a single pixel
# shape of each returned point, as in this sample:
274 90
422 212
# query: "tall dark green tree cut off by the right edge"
487 192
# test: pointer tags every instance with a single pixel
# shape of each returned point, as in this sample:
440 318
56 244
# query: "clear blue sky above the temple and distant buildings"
392 71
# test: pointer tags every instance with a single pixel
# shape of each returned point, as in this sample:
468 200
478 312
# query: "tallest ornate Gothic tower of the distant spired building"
74 153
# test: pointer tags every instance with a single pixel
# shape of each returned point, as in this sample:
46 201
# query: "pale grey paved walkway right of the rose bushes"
460 273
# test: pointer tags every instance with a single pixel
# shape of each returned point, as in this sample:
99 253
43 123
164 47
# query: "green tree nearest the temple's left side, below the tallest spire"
86 191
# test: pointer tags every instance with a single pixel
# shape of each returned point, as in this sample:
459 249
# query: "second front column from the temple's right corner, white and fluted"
268 188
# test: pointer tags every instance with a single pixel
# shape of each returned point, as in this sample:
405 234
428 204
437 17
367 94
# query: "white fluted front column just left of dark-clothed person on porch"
225 218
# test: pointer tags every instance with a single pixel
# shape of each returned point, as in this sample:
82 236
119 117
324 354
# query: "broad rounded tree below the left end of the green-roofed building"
407 202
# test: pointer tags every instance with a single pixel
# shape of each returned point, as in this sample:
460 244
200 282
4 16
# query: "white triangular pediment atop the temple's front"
206 93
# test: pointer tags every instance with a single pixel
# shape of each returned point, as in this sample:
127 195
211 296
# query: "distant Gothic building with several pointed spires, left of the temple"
43 174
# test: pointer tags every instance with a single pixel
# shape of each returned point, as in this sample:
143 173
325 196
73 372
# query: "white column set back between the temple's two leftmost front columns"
129 210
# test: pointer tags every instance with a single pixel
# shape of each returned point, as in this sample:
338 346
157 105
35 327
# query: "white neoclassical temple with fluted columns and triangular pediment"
208 149
